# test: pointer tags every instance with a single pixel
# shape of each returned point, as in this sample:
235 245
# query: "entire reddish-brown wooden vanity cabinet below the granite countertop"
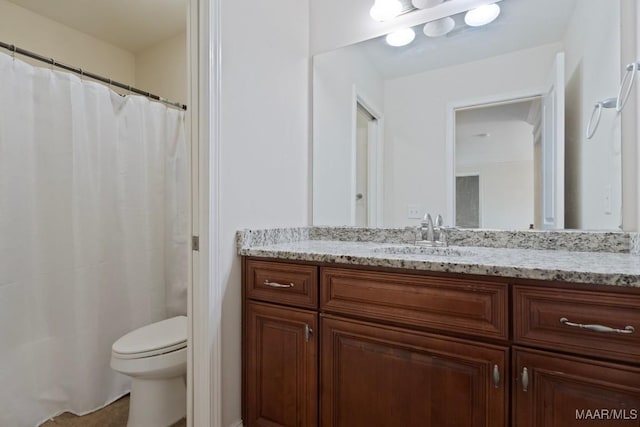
347 346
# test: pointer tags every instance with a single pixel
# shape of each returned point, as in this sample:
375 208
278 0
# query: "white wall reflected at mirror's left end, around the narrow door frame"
334 76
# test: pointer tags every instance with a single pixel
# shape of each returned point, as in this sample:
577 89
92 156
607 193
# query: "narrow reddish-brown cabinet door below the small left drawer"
282 366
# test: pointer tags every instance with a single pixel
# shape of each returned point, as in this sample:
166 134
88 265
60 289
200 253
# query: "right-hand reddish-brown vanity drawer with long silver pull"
552 318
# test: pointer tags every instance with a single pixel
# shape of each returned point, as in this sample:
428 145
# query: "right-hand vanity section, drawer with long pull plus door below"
581 365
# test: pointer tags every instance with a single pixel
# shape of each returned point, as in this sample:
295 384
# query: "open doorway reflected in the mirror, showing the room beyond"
497 141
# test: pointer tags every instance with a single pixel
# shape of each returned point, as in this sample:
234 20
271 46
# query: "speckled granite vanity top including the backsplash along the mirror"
331 245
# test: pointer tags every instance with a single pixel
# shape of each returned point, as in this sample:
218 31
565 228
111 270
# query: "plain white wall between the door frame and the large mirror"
264 153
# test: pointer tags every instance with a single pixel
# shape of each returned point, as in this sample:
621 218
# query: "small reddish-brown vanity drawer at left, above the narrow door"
282 283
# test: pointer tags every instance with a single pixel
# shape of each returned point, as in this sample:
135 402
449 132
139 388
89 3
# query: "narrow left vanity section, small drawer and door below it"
280 344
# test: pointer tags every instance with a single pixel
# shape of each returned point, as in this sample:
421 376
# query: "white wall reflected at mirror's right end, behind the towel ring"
592 74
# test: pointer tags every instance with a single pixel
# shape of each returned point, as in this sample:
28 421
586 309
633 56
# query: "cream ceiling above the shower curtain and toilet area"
133 25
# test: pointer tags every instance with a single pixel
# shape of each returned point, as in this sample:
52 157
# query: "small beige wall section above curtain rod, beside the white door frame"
162 69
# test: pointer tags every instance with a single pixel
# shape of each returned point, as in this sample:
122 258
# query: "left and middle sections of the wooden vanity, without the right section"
383 361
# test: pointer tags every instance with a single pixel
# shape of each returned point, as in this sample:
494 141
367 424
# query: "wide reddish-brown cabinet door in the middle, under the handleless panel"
381 376
